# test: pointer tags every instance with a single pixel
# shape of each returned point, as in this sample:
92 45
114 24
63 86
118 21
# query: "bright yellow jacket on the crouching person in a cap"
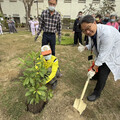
53 63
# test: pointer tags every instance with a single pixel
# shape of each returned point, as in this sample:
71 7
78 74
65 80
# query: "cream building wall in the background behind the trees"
66 9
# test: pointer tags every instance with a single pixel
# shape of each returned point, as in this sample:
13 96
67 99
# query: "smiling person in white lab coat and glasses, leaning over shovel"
104 41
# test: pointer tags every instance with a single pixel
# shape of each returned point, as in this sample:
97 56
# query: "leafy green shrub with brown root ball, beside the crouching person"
34 80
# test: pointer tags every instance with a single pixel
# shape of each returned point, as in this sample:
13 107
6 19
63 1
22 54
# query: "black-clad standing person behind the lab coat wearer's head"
77 30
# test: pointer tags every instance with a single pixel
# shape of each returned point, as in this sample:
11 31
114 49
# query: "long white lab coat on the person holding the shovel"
108 48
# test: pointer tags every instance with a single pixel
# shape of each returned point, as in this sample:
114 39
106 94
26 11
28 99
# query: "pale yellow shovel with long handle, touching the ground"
79 103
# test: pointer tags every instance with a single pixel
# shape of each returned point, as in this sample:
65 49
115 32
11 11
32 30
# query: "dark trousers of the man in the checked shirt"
49 38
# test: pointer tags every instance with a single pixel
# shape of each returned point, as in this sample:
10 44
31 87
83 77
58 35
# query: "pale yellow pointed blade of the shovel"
79 105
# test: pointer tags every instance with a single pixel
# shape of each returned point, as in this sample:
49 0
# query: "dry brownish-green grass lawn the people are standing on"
73 66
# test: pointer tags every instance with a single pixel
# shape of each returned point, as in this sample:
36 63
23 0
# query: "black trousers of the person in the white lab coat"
101 76
